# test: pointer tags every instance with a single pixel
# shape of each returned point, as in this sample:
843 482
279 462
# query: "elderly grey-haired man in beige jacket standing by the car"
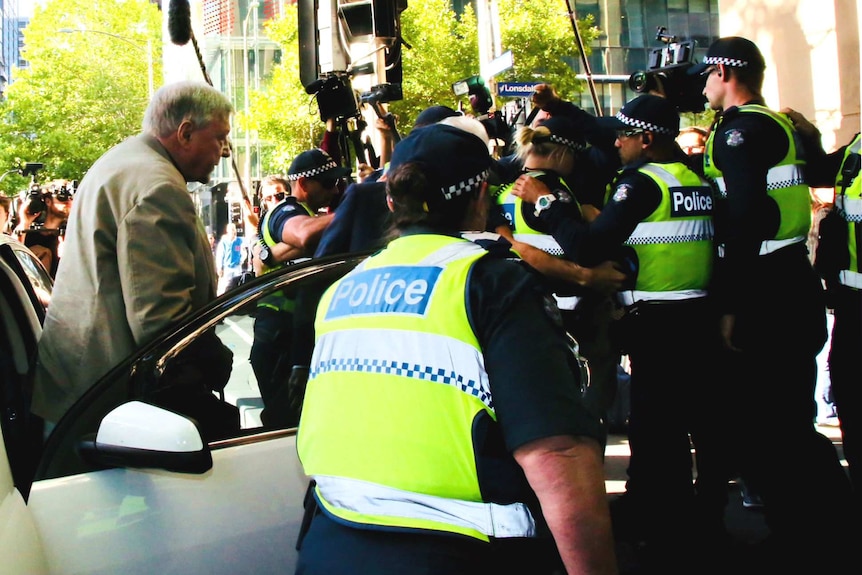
136 257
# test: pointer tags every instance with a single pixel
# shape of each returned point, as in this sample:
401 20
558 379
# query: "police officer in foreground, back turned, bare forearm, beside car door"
442 422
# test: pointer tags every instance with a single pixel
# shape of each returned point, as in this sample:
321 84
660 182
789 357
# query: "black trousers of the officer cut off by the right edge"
845 372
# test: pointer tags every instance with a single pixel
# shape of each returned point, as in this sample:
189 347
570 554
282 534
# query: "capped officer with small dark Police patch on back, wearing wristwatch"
662 211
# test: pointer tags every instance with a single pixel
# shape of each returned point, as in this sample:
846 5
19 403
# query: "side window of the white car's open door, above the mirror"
204 368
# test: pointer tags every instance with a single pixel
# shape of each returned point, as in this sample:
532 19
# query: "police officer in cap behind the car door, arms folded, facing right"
288 231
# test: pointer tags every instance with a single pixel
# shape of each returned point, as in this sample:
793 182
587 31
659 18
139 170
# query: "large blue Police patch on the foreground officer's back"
393 289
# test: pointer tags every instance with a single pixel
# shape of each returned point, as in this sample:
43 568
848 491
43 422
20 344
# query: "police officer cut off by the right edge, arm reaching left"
837 261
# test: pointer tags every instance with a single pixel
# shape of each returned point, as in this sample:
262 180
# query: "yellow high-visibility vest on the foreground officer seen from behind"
397 379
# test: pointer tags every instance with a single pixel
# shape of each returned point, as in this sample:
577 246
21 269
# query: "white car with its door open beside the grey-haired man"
124 486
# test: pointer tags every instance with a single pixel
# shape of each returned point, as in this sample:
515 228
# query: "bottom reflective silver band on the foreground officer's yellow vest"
492 519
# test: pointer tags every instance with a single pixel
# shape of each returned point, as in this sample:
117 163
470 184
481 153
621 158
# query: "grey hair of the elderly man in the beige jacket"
174 103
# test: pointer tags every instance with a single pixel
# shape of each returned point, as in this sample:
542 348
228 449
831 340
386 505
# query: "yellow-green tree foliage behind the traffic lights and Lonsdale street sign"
444 50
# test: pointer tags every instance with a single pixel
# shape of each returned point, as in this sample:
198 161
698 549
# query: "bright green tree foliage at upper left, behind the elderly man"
84 91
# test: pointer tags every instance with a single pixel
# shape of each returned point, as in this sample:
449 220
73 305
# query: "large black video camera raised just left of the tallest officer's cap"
666 73
